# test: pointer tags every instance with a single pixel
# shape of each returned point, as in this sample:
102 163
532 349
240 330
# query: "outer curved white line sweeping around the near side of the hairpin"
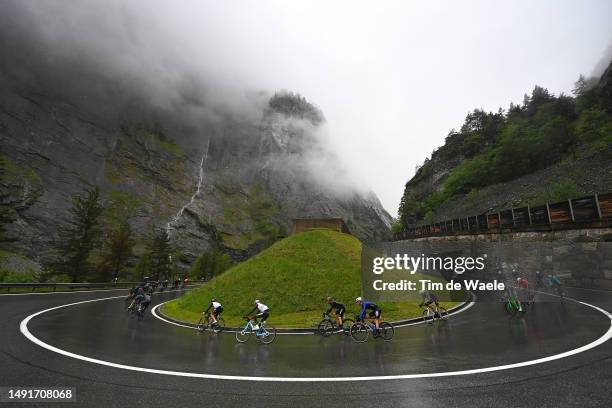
24 330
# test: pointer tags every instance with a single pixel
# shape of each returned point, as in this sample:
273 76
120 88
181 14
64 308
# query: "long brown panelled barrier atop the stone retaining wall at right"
593 211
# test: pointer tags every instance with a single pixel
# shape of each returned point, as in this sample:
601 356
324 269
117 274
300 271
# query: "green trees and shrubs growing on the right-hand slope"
495 147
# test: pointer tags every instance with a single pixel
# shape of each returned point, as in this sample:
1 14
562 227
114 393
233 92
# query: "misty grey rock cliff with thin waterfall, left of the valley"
184 157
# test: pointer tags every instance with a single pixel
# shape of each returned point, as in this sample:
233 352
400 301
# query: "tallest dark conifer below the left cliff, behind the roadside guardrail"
80 236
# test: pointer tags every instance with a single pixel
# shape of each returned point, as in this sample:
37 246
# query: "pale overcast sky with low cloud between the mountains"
392 77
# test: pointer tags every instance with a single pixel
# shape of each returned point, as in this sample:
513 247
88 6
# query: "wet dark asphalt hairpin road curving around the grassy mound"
482 336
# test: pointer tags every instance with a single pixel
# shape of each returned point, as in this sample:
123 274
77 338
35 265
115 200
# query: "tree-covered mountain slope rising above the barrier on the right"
550 148
